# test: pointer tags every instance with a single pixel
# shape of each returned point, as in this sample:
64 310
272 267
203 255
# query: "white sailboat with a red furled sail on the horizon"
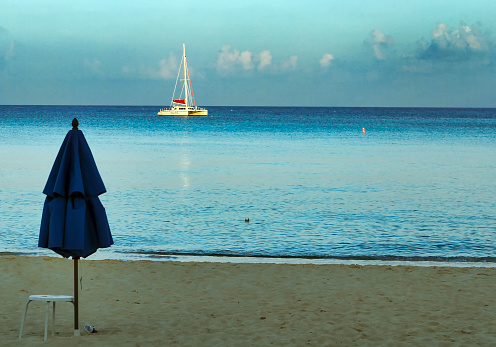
185 104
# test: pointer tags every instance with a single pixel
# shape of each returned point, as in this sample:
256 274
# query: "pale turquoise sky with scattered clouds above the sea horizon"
380 53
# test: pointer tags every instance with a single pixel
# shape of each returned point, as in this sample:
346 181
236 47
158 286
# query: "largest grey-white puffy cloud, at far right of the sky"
454 44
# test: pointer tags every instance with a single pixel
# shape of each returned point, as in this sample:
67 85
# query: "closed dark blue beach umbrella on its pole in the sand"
74 222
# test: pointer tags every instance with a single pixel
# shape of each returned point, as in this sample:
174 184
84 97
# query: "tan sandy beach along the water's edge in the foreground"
147 303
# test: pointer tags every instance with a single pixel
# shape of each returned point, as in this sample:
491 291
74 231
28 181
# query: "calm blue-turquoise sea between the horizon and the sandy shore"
368 184
